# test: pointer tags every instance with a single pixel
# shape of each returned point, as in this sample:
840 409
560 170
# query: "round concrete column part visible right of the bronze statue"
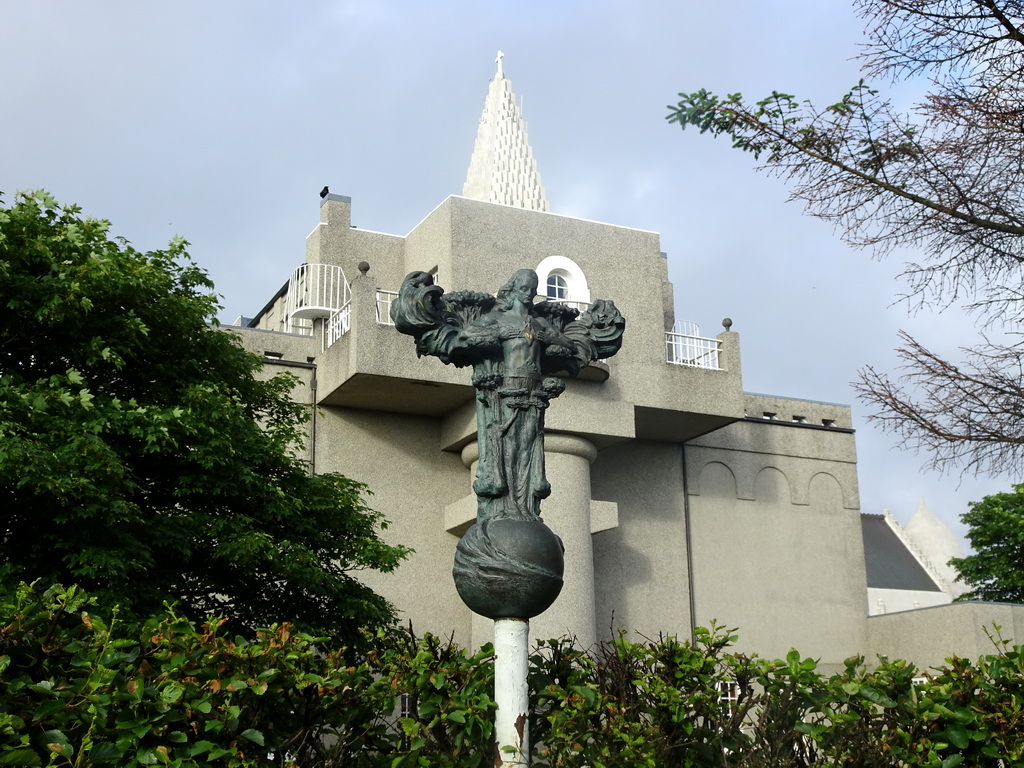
567 513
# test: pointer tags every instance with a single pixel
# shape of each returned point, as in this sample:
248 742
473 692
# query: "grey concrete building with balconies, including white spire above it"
681 499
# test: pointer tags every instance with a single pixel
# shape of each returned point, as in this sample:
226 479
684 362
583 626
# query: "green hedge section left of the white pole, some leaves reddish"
73 693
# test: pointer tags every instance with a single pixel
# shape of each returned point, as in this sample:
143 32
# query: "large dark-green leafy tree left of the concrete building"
144 456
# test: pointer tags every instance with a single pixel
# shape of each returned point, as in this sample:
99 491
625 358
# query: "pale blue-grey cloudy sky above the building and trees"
221 121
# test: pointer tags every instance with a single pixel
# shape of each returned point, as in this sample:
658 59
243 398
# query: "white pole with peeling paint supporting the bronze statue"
511 692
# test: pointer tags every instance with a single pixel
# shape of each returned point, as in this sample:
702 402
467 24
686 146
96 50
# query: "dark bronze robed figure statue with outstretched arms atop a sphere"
508 565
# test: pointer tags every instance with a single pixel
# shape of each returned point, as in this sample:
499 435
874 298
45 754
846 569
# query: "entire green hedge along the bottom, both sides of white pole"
77 692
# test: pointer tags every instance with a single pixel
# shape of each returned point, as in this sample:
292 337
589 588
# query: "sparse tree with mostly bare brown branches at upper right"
946 179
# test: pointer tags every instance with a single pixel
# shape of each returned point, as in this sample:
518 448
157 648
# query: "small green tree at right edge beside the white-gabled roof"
996 571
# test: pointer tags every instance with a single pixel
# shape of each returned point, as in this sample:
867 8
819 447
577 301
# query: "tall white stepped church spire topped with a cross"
503 169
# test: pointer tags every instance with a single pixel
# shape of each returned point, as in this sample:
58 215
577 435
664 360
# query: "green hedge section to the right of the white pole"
665 703
